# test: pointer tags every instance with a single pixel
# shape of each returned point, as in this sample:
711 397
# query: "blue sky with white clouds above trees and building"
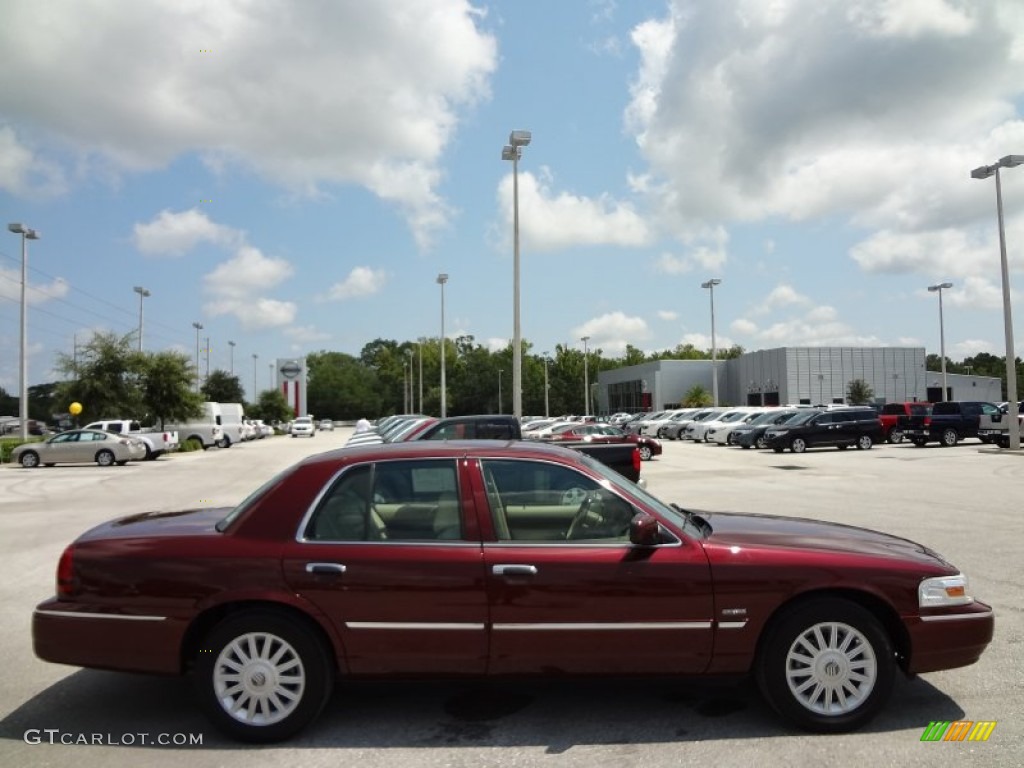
293 177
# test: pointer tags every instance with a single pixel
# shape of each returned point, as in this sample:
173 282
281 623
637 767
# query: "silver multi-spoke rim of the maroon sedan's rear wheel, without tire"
260 679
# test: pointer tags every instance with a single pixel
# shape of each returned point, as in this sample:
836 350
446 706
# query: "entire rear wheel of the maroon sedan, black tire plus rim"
301 670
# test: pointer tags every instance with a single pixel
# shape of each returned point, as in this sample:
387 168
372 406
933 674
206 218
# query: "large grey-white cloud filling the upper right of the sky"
749 110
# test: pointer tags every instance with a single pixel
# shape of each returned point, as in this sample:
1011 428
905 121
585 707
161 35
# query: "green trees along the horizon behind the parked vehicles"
112 379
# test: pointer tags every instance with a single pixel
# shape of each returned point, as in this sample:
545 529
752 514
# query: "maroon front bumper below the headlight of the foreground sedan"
945 642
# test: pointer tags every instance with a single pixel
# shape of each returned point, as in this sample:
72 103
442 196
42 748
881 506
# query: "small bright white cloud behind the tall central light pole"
551 222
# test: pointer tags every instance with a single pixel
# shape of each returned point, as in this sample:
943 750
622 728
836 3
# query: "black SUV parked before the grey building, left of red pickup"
841 428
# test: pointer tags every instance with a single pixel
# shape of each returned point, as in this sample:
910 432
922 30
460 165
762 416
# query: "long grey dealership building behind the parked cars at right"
790 376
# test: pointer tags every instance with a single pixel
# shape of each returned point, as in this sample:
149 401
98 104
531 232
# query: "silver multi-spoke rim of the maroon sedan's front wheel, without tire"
831 669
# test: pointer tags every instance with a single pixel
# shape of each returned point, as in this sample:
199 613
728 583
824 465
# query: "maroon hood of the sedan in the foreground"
736 533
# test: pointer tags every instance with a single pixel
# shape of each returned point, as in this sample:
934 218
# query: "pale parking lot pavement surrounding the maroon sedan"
965 502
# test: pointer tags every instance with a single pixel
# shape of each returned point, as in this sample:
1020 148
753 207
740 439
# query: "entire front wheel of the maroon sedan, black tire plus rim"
847 653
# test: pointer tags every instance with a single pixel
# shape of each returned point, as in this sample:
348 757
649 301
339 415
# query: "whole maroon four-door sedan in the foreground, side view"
487 559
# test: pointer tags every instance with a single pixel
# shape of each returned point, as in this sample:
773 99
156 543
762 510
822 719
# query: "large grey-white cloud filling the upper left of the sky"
306 95
